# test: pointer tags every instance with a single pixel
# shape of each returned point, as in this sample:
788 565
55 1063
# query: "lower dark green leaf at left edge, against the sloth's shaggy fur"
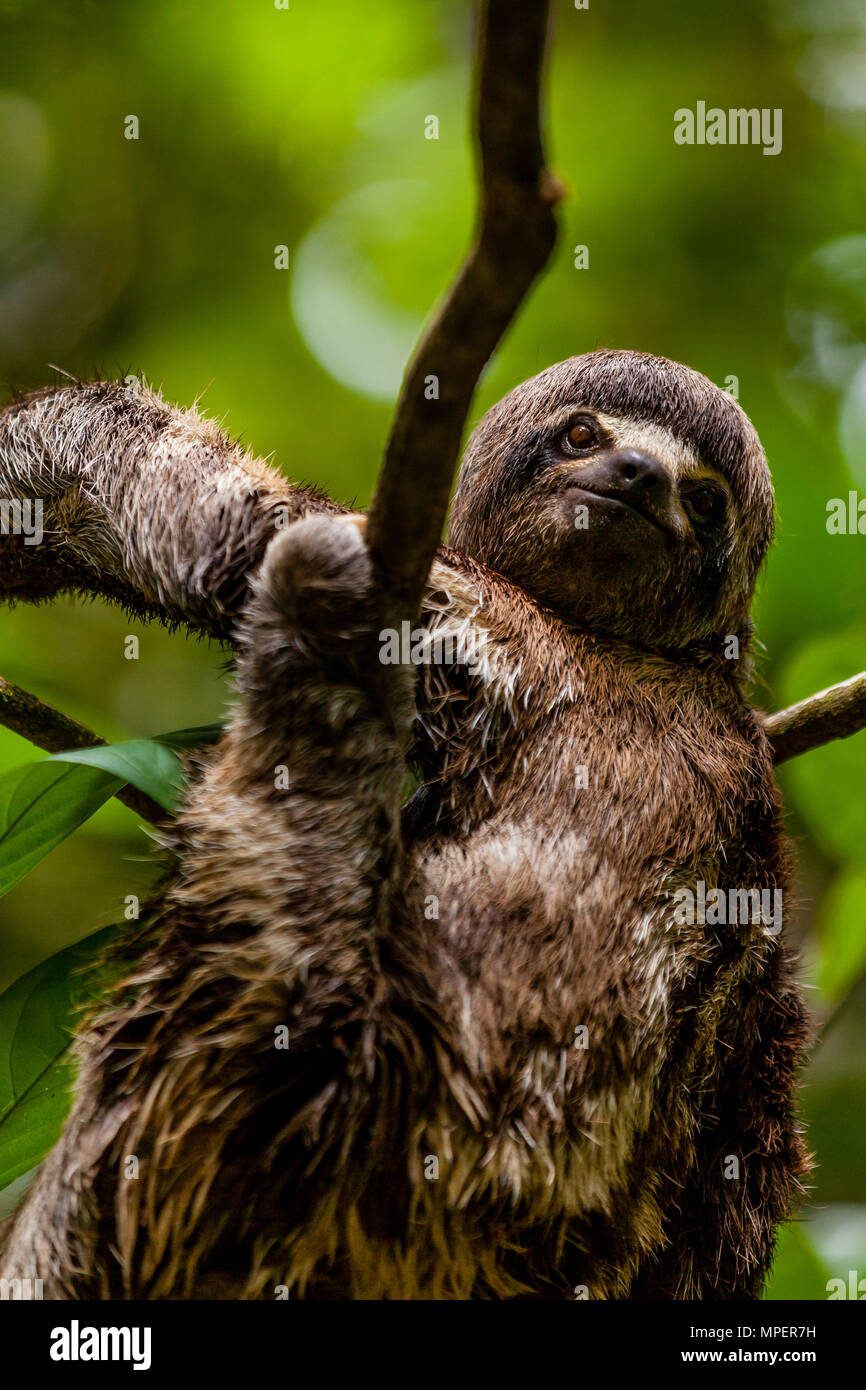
37 1021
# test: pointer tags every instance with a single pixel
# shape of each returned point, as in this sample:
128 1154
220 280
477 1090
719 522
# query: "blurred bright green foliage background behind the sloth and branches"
305 129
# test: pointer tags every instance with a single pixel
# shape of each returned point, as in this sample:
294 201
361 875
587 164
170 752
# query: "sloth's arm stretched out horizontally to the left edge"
144 504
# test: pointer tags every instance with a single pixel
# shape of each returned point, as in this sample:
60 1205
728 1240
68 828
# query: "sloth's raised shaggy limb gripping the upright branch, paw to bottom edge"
254 1063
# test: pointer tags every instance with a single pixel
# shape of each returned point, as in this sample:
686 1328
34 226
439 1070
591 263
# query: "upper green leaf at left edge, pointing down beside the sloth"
41 804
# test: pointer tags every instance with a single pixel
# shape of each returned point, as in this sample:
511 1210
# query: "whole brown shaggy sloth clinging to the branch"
462 1046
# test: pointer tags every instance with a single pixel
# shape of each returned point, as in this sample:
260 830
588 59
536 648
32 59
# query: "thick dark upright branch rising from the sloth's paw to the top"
515 238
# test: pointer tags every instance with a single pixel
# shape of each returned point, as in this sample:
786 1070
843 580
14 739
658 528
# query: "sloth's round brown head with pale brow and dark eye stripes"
626 493
